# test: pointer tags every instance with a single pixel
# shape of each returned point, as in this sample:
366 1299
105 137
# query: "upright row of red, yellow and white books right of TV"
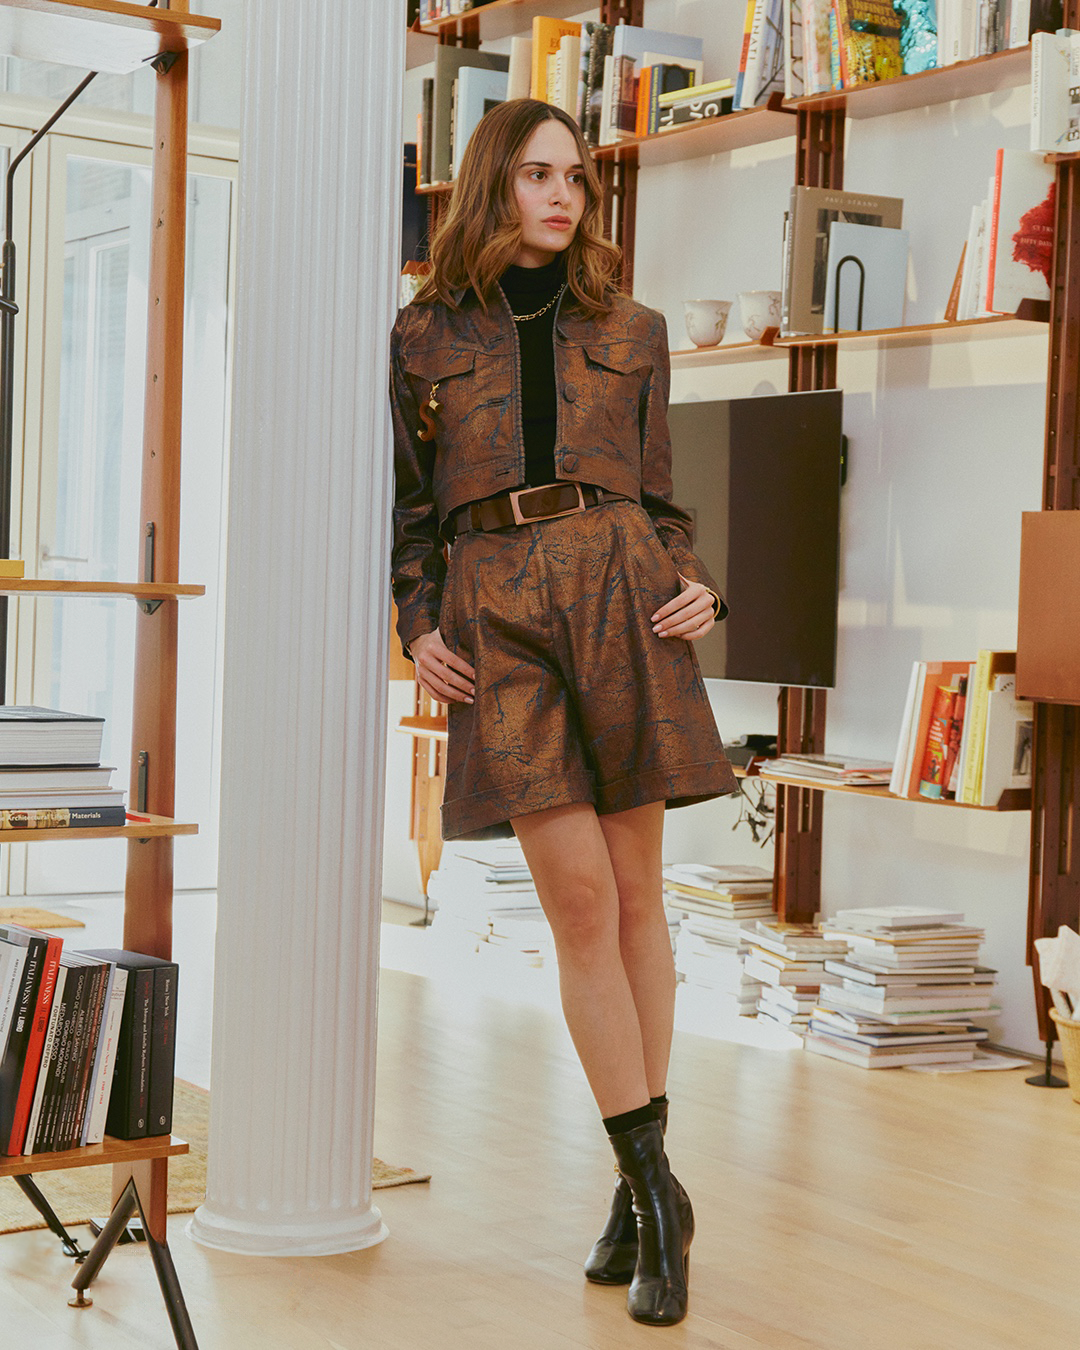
965 735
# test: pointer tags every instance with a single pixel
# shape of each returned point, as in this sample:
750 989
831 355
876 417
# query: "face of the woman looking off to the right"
550 191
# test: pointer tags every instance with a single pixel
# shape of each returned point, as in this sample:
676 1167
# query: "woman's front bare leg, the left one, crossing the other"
569 858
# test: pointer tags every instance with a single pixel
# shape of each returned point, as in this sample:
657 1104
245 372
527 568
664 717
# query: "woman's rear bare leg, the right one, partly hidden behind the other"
635 842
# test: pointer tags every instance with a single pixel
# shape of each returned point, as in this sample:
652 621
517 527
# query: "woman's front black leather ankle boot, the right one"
658 1293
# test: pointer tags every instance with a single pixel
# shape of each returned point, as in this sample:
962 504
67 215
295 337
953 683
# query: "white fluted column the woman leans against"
307 626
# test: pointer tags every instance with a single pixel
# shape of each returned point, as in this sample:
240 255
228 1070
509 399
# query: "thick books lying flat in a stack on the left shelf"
51 772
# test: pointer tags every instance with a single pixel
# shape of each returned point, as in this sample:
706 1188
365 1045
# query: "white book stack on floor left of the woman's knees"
487 902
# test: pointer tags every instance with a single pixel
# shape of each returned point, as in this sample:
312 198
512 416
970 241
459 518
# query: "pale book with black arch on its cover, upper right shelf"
866 277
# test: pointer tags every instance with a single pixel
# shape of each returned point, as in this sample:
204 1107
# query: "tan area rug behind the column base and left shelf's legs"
82 1194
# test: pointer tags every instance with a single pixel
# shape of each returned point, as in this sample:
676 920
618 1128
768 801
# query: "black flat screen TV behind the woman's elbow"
762 480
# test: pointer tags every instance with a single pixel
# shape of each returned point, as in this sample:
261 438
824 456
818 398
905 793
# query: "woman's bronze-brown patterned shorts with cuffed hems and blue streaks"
577 699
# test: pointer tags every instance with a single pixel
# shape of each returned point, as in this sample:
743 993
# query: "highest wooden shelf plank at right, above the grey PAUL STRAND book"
965 80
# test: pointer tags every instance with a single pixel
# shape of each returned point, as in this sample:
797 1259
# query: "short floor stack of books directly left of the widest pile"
789 965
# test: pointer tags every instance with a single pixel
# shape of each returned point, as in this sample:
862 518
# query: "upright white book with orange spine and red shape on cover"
1020 249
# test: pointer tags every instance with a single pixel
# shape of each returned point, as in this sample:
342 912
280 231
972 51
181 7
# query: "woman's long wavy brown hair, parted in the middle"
481 233
